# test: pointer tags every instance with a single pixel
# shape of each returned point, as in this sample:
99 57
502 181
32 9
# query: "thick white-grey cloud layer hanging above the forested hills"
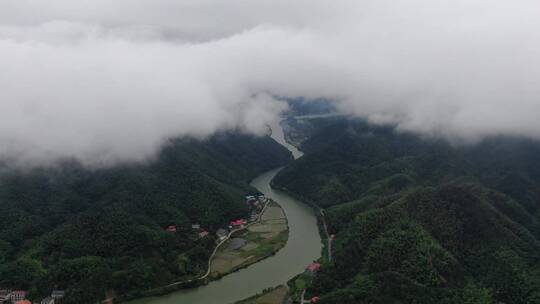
109 81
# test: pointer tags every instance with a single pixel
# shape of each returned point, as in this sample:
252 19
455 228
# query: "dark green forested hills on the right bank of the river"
421 220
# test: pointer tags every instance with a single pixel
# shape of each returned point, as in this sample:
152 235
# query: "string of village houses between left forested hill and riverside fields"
256 205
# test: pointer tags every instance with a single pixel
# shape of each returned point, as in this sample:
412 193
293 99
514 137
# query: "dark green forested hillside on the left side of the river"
89 231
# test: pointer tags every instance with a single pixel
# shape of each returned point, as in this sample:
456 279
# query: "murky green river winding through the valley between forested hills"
304 246
